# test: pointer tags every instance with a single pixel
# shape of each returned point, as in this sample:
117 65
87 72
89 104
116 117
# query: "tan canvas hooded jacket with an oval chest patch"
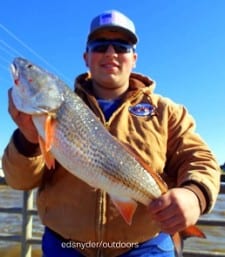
165 139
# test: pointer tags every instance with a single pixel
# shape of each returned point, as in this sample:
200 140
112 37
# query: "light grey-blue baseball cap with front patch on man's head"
113 21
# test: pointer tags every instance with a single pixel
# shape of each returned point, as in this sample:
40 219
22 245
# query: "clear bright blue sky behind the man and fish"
181 46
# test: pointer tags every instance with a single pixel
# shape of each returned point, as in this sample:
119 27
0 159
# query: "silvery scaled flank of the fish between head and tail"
96 150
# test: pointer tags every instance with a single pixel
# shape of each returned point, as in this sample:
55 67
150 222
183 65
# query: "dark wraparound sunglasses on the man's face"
101 46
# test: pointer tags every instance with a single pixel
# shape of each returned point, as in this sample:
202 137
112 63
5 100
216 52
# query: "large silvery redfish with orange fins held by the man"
70 133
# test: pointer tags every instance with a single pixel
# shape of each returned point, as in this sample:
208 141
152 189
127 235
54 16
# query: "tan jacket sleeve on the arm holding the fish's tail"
190 159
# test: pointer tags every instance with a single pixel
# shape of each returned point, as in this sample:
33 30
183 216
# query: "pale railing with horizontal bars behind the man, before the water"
26 239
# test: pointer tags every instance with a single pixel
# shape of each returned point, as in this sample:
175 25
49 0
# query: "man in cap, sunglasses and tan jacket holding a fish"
81 221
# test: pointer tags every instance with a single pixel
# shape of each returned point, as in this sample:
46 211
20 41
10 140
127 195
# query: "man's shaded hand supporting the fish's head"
23 121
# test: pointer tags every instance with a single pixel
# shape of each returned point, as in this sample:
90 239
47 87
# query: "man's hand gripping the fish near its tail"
175 210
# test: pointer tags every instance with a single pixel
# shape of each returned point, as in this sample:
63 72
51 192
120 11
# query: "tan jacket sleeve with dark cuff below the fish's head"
22 171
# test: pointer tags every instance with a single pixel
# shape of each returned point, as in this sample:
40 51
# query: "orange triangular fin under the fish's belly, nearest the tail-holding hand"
126 208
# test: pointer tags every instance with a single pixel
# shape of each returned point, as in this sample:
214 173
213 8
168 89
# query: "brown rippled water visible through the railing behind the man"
11 224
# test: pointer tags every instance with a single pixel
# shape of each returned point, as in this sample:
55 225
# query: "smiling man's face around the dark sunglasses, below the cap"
110 69
